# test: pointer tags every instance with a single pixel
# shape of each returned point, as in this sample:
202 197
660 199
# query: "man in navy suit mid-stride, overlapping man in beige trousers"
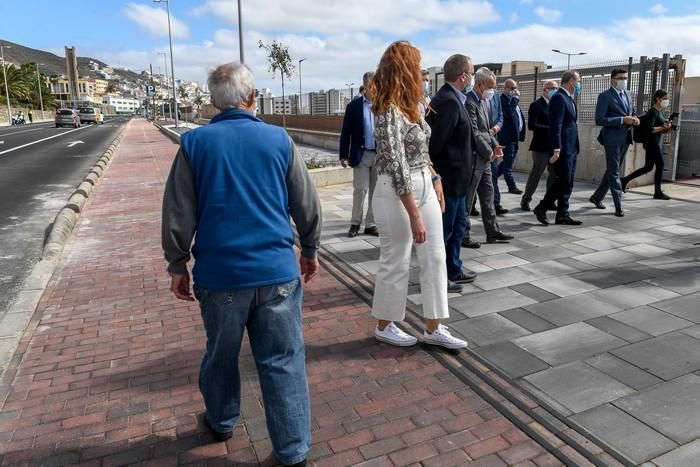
563 138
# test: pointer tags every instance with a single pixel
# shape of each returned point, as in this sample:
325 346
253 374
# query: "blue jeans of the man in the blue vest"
272 316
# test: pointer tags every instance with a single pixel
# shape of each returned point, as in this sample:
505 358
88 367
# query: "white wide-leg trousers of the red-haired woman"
395 242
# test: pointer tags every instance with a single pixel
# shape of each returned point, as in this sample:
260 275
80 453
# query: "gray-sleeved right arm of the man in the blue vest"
305 209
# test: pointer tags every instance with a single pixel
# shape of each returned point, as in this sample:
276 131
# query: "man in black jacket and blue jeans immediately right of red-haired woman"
451 152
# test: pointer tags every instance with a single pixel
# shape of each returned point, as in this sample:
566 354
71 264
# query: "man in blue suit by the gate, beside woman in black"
615 112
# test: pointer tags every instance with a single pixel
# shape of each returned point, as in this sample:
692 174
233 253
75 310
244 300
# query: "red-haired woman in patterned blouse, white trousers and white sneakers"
408 203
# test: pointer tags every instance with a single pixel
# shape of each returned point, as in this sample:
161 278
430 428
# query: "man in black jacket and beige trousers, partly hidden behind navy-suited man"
538 123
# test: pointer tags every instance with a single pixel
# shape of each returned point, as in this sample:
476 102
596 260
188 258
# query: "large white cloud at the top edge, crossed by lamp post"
336 16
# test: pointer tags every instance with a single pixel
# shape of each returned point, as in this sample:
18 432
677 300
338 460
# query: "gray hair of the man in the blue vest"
230 85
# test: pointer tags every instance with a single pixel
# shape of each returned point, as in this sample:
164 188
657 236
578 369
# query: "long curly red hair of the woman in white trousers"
398 81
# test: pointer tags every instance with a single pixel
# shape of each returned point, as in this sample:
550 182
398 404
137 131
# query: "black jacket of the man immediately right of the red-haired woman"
450 144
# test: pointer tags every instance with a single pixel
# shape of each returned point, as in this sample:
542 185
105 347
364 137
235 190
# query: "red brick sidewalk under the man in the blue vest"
106 373
